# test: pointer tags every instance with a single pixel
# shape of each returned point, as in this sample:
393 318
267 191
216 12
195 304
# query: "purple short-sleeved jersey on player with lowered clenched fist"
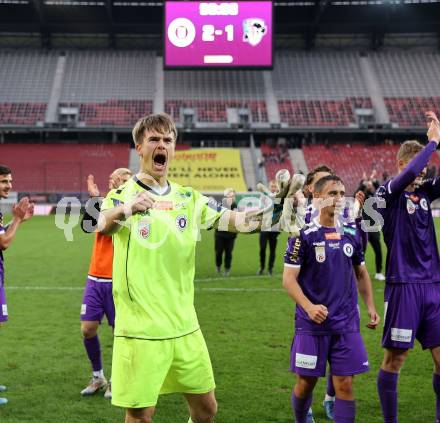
325 257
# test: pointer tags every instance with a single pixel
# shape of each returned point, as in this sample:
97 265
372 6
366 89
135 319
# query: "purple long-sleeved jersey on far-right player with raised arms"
408 228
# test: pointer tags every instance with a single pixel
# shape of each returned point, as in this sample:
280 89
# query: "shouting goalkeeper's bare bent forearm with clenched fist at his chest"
110 220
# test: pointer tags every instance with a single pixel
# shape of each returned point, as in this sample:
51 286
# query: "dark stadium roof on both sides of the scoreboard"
375 17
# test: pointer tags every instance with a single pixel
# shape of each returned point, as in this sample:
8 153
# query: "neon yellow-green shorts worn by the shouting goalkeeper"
144 369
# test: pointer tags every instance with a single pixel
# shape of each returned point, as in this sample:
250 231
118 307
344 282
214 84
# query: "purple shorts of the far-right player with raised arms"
412 311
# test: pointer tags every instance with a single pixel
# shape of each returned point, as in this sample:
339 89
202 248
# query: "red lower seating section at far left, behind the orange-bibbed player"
62 167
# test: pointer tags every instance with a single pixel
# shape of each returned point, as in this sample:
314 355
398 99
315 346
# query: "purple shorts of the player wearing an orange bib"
97 301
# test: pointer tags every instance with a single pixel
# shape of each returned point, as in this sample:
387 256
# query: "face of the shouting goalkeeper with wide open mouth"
156 151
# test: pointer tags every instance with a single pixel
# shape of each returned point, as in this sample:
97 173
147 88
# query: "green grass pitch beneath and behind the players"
247 322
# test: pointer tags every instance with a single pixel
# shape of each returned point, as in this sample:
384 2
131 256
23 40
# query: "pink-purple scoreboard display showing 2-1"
218 35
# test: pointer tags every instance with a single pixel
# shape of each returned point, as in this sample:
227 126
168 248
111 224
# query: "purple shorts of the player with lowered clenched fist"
345 353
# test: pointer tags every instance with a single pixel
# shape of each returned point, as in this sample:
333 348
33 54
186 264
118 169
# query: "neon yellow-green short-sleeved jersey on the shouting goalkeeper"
154 261
